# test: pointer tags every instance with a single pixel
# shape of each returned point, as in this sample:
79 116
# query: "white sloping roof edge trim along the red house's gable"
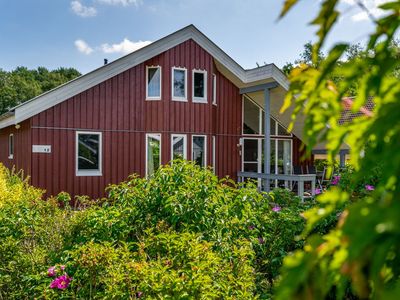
231 69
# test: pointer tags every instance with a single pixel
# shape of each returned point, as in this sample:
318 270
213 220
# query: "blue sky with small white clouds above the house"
80 33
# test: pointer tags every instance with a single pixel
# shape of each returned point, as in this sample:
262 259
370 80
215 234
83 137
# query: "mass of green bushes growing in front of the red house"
182 233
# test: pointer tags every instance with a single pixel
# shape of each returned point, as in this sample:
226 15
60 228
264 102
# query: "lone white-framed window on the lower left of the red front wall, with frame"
88 154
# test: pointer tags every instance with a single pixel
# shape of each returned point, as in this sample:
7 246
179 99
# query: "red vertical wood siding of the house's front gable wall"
117 107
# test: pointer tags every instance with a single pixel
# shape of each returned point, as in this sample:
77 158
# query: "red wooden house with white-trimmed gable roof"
181 96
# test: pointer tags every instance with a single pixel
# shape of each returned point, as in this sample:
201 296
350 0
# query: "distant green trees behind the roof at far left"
22 84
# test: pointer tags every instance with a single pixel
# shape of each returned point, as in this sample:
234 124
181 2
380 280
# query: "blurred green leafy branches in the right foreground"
359 257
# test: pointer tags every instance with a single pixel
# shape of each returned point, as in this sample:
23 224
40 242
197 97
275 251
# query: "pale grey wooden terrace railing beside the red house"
300 179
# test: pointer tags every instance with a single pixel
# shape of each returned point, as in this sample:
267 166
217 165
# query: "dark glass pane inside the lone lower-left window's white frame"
88 152
